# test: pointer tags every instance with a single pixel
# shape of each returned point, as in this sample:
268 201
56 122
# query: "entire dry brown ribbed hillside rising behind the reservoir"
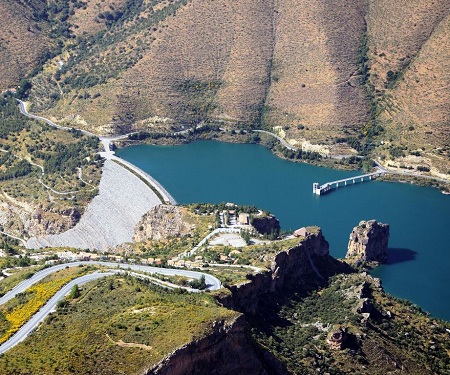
369 74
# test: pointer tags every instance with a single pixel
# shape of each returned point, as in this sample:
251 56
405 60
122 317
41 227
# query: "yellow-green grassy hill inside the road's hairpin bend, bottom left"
117 325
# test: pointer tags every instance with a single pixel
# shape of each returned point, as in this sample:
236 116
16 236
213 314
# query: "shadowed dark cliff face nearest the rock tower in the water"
289 270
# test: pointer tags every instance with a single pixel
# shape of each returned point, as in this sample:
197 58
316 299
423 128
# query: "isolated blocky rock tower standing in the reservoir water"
368 243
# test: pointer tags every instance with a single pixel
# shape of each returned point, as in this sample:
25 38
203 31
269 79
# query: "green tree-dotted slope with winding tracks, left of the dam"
42 167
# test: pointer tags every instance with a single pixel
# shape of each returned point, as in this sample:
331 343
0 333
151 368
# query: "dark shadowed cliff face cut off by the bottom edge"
225 351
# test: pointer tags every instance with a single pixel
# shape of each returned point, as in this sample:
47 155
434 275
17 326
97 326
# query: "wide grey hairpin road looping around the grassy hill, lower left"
212 284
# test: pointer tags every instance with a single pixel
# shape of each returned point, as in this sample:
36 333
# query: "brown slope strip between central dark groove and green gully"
313 81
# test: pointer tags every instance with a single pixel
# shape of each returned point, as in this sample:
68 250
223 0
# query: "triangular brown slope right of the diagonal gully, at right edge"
420 100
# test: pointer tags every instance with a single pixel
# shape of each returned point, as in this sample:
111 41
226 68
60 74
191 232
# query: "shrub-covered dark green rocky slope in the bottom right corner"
397 334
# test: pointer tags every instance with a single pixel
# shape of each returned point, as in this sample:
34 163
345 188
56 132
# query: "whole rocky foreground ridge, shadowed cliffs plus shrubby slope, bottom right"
310 313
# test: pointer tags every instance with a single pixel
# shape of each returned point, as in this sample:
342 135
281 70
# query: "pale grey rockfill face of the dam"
110 218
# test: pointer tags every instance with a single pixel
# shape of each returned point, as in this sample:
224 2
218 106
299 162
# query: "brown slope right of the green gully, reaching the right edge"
409 54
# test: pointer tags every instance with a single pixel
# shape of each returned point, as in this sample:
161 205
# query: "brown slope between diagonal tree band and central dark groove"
216 69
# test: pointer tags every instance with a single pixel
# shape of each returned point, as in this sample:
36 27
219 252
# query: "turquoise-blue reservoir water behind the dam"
419 261
